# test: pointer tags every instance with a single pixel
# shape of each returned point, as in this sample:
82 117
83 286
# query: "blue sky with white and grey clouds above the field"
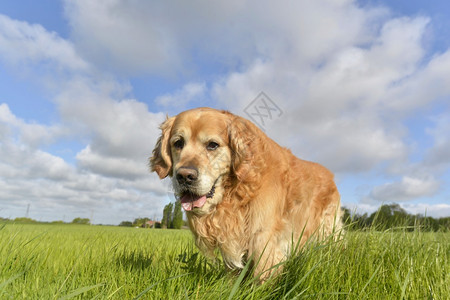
364 87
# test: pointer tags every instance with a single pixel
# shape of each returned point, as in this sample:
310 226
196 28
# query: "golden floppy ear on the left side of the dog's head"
161 160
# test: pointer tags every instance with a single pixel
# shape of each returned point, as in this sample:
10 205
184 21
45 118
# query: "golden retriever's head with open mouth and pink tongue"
199 148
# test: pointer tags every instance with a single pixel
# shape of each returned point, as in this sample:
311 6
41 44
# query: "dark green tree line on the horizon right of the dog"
394 216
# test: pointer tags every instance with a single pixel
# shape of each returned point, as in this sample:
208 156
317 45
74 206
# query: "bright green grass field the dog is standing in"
100 262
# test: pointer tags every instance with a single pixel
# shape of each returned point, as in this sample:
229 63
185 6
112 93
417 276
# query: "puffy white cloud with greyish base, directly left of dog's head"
122 133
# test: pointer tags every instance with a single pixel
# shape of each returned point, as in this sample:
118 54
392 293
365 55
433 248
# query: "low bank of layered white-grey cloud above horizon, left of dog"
110 189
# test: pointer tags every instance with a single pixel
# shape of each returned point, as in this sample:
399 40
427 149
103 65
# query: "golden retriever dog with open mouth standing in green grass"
242 192
